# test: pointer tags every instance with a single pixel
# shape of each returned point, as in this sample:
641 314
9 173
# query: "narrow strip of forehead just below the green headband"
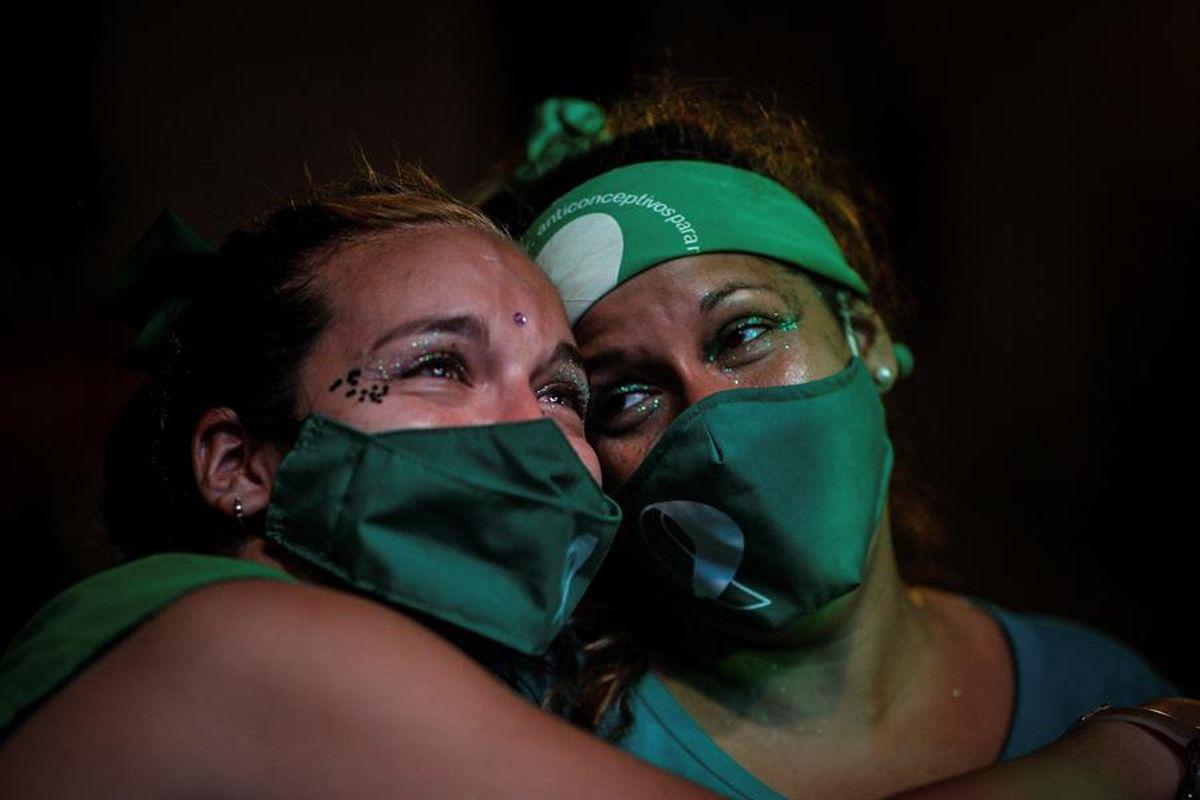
683 287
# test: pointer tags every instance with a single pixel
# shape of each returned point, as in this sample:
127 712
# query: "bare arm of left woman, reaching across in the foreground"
263 690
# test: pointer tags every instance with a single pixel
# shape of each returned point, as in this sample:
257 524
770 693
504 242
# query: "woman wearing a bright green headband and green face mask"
728 300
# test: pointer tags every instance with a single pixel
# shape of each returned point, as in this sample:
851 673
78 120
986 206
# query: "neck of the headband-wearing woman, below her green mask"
862 658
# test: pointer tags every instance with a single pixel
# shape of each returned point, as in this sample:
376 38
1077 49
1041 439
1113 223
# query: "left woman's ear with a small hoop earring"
231 467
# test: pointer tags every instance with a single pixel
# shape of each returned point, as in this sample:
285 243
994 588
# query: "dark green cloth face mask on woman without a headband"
497 530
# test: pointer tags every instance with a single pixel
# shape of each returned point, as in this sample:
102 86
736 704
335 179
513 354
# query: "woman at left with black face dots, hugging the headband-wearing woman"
369 404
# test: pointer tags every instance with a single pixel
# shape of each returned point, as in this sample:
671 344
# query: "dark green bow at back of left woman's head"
157 282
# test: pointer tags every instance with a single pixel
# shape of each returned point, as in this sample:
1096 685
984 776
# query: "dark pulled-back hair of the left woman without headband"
248 327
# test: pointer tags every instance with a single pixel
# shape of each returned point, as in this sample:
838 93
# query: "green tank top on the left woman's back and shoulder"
89 618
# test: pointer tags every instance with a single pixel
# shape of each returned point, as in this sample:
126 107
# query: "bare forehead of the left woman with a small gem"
431 270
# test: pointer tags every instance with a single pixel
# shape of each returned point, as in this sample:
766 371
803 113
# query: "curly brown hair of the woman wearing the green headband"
673 119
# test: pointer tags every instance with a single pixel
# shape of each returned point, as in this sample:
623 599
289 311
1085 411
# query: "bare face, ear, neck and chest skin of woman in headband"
915 683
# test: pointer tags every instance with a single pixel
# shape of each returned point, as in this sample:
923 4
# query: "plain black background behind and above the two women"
1041 167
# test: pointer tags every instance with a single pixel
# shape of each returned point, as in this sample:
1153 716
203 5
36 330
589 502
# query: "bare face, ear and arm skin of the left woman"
263 690
